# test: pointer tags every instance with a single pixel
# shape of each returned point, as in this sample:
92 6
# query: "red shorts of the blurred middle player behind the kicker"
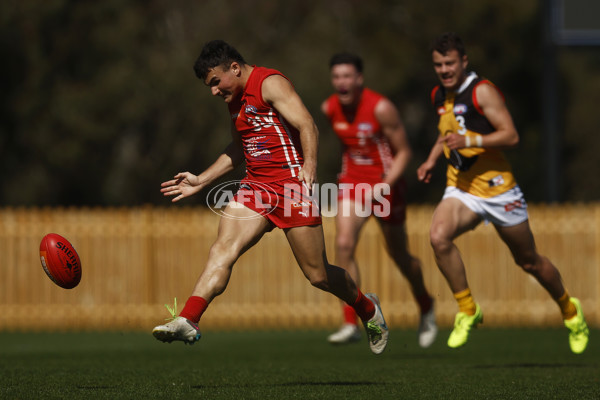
354 191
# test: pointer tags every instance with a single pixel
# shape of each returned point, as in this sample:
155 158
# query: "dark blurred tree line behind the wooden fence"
100 103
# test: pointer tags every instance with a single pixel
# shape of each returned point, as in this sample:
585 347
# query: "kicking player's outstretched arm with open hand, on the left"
186 184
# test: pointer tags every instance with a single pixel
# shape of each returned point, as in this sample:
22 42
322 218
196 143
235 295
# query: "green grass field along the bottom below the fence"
495 364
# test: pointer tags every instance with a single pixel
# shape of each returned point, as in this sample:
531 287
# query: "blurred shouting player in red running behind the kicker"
375 151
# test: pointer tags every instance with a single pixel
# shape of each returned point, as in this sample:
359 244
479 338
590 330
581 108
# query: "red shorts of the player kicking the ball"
285 204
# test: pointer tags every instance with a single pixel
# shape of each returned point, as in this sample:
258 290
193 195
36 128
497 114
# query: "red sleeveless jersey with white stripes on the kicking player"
271 146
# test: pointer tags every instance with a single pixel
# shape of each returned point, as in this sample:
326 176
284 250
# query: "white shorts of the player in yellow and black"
506 209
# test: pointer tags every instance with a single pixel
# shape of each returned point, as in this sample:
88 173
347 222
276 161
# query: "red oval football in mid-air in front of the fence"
60 261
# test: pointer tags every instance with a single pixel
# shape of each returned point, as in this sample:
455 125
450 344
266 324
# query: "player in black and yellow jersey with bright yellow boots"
474 126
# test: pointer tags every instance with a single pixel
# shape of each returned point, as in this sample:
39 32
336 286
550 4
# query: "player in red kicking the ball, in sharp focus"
274 133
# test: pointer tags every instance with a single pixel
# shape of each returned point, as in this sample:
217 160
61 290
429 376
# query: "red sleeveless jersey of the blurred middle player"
367 153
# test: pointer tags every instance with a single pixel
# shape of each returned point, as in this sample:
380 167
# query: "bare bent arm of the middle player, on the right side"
393 128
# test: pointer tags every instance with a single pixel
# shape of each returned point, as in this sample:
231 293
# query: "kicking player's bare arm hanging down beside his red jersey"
279 92
